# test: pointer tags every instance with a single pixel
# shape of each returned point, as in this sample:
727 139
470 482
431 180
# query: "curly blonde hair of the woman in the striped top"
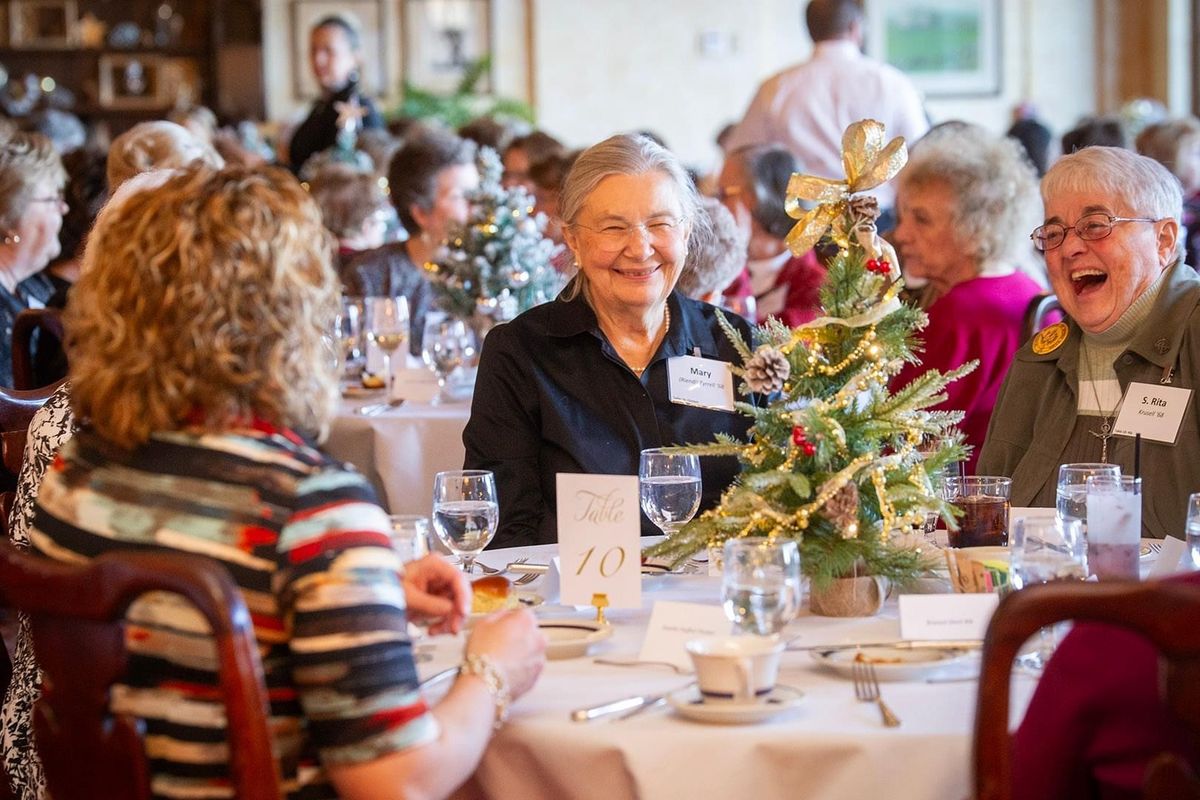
203 305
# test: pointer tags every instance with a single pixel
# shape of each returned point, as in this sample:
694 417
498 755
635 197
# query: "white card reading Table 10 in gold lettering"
599 525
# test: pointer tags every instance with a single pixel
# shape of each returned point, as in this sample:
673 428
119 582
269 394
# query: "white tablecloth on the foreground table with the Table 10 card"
832 748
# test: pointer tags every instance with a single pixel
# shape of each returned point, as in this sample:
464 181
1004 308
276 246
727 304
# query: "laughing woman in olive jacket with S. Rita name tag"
1114 252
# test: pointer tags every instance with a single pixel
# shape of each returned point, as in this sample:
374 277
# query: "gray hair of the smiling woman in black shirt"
627 154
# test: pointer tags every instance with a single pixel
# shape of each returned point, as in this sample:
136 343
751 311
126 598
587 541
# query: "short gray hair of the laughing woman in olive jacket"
1137 183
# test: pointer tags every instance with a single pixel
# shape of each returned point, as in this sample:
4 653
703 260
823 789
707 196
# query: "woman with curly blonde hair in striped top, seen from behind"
200 364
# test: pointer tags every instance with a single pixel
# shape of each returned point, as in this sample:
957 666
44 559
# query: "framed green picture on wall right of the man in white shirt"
949 47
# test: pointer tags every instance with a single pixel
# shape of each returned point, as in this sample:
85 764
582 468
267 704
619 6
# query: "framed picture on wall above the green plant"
443 39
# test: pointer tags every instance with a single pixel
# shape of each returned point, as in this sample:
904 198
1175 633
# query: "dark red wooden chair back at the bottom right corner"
1139 607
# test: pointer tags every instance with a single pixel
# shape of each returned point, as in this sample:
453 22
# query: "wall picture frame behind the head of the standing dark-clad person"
368 16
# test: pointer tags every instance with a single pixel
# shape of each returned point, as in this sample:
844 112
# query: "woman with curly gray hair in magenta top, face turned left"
964 202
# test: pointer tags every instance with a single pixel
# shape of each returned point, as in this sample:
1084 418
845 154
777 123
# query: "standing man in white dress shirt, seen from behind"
807 107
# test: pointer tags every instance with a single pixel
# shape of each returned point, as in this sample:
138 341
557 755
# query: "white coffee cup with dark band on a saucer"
736 669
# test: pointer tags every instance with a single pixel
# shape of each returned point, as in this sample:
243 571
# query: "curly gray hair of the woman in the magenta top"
994 185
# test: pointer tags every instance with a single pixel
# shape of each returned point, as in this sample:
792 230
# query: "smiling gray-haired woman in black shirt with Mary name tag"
586 383
